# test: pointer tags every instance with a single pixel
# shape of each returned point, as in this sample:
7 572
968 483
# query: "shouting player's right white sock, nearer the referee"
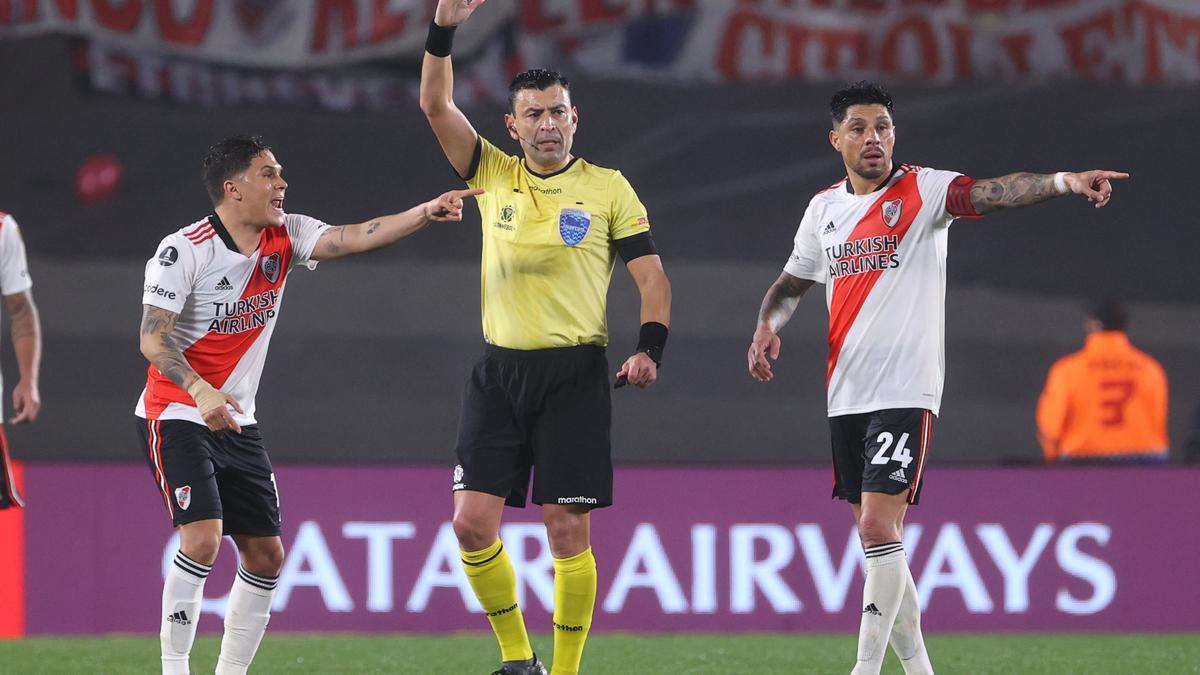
247 617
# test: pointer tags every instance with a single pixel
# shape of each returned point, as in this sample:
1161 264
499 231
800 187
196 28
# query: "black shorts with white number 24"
881 452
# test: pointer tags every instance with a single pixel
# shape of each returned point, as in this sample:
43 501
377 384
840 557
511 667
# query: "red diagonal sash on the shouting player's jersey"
215 356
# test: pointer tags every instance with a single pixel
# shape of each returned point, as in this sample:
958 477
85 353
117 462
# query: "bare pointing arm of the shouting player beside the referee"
344 241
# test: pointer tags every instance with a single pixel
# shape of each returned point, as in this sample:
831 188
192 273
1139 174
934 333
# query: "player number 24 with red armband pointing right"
878 241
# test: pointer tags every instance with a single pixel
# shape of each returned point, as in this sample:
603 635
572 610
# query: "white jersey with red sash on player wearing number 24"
883 259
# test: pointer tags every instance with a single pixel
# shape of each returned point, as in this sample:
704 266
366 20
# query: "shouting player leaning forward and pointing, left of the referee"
211 301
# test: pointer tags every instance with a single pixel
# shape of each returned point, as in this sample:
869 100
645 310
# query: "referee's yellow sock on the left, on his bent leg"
496 588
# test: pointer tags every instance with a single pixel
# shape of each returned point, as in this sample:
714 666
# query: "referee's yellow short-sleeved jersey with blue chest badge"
549 249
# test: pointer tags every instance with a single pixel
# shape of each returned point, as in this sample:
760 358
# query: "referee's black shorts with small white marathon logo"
541 413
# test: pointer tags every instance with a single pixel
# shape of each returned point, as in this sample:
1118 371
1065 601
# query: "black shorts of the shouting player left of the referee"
203 475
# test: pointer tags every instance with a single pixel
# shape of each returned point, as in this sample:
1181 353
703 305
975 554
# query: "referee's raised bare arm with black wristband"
452 128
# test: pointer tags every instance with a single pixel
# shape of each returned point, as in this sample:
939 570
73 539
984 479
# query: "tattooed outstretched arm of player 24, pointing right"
1027 189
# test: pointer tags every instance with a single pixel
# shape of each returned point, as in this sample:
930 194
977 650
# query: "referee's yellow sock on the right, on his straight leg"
575 596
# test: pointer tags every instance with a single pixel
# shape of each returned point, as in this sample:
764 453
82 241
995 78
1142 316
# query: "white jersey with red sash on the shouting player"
227 306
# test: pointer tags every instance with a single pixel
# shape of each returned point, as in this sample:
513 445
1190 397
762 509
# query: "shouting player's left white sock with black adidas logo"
183 593
